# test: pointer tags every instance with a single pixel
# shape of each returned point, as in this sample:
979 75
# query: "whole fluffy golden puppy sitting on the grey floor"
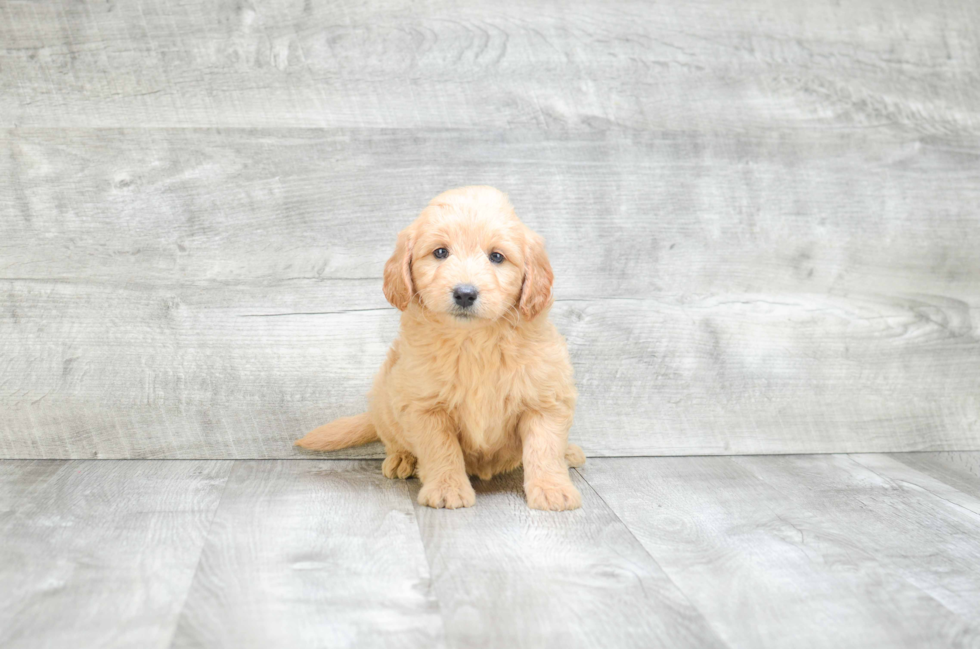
479 380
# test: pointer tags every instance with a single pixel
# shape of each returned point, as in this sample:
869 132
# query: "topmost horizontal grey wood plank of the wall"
707 64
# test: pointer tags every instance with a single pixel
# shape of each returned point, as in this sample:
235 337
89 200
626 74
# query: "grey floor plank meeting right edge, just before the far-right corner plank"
908 522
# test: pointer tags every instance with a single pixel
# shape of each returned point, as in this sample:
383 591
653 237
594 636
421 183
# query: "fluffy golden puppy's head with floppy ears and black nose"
467 257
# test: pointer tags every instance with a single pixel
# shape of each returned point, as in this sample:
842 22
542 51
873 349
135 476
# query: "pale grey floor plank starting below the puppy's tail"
312 554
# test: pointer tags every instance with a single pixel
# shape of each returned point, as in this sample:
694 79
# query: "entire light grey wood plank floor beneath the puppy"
805 551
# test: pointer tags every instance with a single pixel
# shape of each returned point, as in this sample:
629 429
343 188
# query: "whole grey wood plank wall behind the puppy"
764 217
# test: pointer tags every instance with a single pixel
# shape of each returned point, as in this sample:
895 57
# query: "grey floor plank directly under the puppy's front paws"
509 576
